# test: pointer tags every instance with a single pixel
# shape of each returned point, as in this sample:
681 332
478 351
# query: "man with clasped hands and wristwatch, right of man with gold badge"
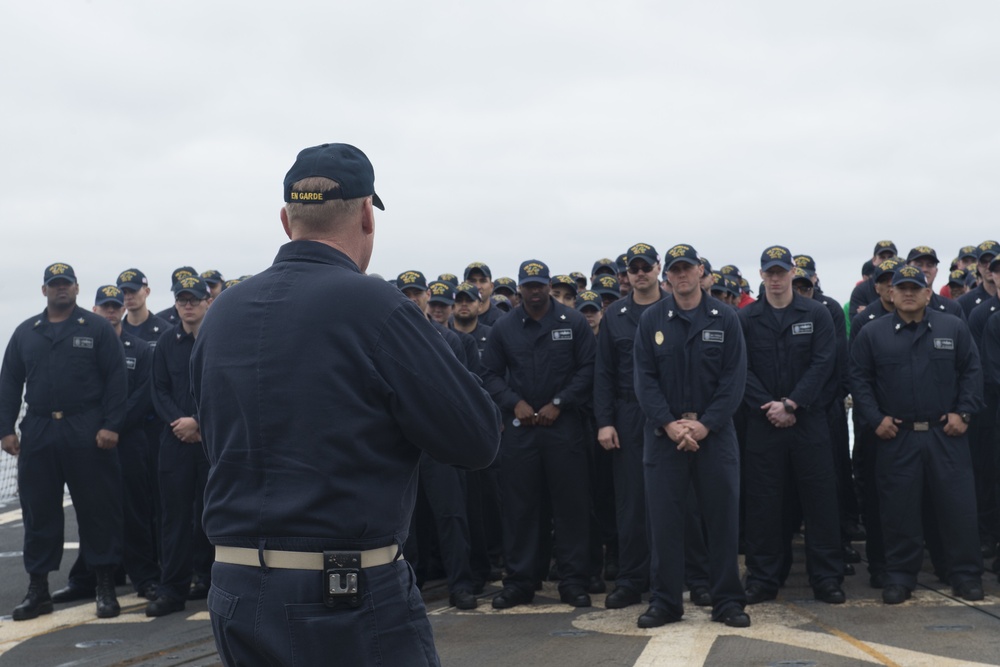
791 351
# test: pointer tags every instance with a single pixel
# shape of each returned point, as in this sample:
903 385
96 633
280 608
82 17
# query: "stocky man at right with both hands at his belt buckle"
916 380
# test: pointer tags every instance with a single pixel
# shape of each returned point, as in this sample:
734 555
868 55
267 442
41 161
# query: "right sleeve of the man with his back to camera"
440 406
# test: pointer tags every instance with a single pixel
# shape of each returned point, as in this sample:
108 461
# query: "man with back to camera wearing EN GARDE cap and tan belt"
308 503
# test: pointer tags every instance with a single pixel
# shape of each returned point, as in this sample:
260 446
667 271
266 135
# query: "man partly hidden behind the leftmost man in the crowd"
139 558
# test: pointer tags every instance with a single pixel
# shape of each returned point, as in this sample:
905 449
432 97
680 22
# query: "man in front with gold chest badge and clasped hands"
690 373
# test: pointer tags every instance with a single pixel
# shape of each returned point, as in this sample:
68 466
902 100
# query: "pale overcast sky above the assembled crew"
157 134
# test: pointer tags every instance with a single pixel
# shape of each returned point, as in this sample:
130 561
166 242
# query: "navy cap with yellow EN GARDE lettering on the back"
342 163
